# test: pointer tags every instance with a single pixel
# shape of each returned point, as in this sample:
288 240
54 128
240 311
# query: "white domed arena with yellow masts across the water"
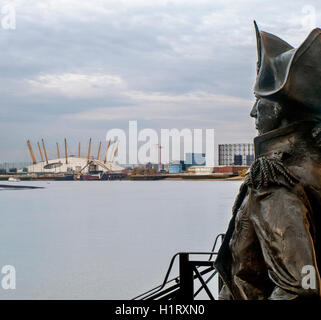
73 164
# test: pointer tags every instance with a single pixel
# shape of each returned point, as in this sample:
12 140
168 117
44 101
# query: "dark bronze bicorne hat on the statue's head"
288 74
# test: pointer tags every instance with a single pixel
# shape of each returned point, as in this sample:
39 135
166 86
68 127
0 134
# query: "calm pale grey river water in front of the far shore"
105 240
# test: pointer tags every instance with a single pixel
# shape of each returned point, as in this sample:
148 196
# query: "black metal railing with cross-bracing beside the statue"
182 287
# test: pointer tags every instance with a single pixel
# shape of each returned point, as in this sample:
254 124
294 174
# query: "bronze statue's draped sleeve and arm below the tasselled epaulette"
280 220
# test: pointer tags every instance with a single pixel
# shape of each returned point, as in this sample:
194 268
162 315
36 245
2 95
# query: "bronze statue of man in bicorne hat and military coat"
275 230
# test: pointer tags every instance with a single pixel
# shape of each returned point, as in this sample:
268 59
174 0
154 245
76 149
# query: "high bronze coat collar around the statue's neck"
280 140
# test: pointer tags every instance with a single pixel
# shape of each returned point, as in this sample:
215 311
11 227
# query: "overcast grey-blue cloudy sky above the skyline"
76 69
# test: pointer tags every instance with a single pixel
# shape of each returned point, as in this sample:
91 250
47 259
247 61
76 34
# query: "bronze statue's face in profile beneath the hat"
267 114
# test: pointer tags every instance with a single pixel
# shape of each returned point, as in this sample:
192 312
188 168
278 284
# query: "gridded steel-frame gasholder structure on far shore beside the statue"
241 154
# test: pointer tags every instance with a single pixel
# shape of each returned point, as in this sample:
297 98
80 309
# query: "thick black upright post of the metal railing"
186 278
